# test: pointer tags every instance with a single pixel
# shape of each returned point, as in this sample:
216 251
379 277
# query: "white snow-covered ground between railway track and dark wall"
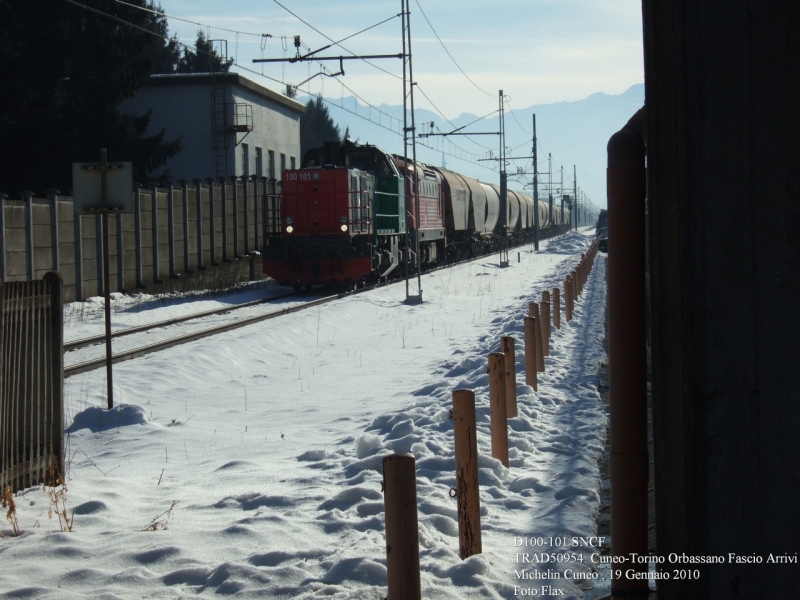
249 463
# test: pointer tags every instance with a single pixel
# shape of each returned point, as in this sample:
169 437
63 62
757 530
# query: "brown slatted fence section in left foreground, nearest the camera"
31 381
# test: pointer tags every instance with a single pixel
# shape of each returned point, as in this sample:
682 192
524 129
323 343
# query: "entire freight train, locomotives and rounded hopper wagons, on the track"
349 216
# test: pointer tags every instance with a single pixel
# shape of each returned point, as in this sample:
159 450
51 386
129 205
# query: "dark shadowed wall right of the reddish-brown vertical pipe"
724 196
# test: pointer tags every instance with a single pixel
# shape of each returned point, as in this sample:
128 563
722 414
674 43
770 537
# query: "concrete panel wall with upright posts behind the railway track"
15 239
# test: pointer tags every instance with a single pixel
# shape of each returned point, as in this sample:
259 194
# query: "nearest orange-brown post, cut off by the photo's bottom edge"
402 543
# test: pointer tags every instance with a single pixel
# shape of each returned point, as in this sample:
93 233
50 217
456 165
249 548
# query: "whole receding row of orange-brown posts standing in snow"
399 470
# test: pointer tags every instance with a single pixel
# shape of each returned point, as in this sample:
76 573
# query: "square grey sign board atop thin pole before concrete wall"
86 191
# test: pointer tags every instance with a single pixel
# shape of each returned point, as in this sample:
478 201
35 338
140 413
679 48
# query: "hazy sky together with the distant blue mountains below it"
538 52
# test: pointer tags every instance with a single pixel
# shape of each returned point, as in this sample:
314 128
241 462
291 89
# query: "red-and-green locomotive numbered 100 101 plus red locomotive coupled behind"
343 217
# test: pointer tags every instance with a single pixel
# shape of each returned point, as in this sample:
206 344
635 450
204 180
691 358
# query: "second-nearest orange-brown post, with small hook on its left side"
466 491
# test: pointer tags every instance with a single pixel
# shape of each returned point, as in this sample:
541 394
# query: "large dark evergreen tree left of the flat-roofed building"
66 71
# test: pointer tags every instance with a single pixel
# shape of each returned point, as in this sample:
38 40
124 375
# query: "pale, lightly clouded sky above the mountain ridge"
536 51
